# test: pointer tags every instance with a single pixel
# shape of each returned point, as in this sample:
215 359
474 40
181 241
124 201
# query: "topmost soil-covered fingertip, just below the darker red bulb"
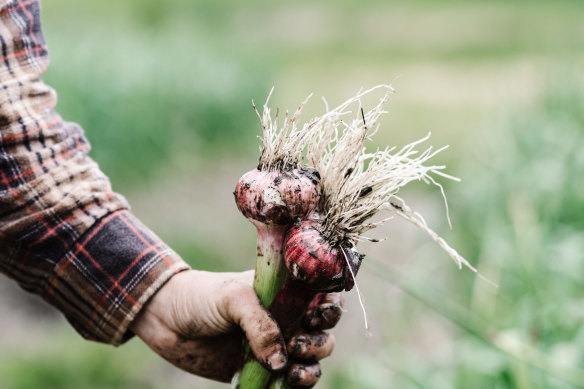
326 313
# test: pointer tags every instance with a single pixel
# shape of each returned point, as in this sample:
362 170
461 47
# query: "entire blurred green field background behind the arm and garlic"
164 89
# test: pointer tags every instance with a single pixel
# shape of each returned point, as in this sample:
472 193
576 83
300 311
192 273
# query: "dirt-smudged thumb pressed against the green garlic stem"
261 330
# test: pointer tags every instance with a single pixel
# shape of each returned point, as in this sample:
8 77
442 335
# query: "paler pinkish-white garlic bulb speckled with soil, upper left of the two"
278 197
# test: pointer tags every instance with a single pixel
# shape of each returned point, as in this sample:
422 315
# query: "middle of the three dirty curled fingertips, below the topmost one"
311 347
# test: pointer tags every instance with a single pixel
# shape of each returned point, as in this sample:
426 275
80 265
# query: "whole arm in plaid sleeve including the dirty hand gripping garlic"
66 236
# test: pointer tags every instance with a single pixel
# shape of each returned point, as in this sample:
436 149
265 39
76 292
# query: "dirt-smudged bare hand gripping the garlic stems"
197 319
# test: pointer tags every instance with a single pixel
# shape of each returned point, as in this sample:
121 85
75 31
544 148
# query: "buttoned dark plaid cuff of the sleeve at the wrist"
108 275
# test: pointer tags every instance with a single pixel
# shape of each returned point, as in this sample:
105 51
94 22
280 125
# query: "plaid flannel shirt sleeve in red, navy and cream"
63 233
